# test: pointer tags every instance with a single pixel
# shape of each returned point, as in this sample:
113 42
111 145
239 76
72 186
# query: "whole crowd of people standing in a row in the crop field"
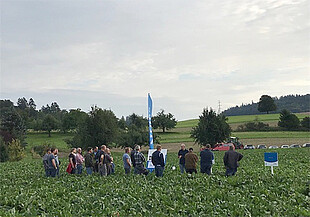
101 161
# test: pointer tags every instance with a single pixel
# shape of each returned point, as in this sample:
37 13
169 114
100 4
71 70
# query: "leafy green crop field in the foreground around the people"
253 192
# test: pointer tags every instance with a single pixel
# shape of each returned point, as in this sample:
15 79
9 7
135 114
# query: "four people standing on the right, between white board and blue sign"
188 160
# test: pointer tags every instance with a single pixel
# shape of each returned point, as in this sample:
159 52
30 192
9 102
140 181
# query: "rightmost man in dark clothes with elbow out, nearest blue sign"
231 159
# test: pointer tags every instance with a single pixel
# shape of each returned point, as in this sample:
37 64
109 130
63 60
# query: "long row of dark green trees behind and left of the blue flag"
94 128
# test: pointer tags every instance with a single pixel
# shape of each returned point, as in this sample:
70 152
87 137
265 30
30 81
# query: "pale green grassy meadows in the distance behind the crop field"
181 133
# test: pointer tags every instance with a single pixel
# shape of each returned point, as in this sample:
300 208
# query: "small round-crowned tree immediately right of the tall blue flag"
164 121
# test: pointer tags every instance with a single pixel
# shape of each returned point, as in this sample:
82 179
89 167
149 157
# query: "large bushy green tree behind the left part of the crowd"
99 127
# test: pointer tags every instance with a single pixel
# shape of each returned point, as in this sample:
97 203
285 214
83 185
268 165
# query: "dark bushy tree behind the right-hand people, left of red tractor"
211 128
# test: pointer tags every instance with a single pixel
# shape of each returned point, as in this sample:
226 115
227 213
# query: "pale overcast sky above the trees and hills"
187 54
